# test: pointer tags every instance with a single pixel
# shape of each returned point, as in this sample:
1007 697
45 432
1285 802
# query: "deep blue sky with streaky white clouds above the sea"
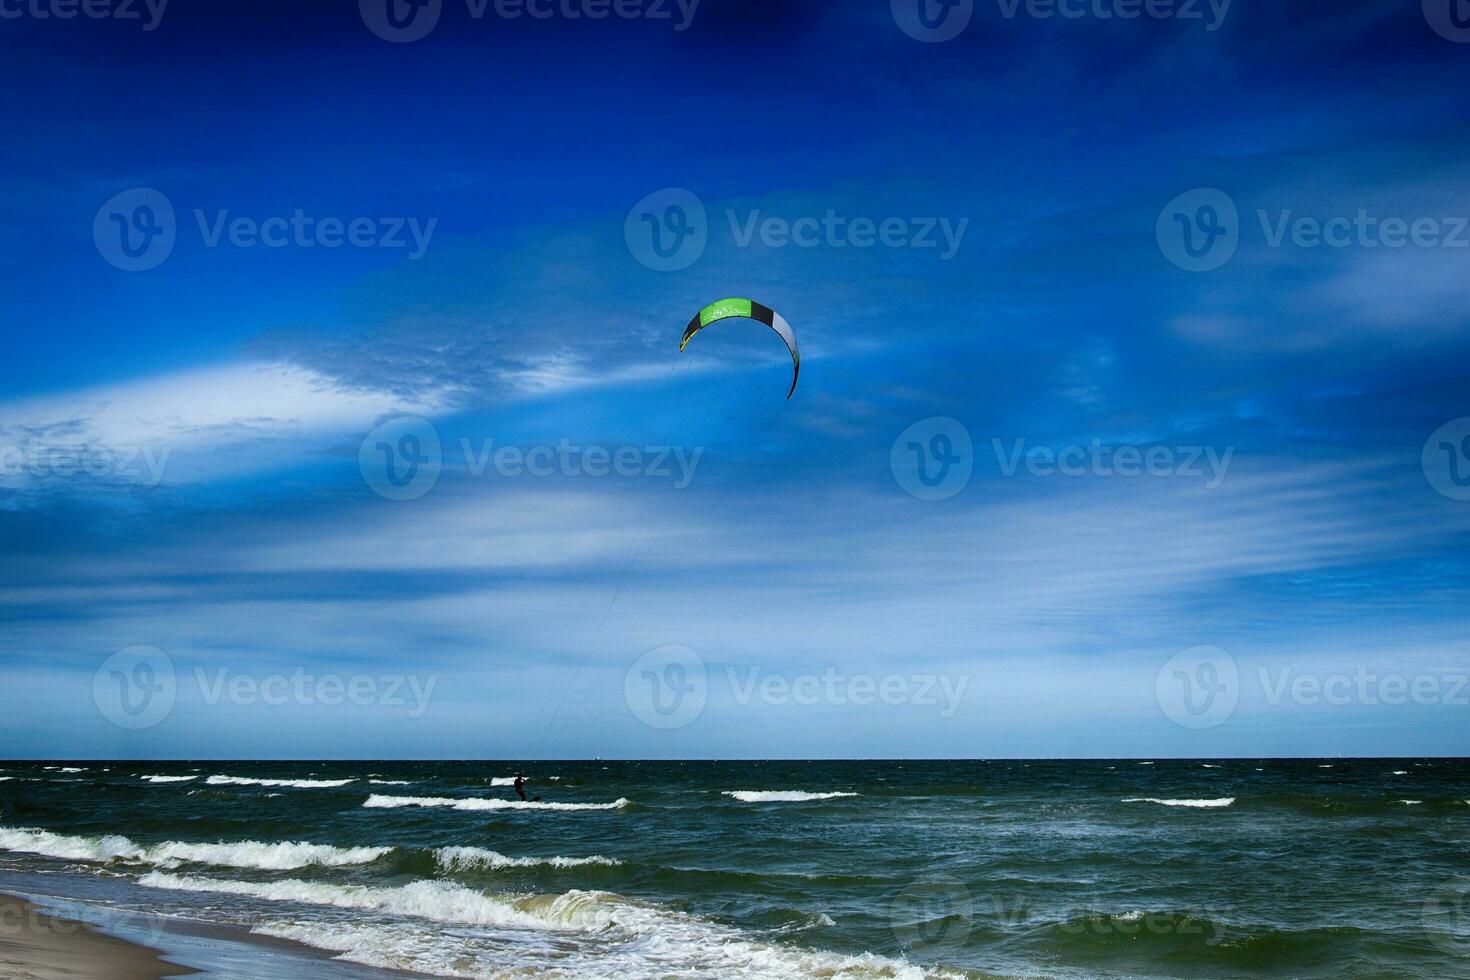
1052 149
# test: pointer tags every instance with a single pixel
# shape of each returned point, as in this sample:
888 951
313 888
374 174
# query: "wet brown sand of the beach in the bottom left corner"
39 947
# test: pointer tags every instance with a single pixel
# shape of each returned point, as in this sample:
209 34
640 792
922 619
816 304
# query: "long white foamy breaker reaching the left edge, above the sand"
242 854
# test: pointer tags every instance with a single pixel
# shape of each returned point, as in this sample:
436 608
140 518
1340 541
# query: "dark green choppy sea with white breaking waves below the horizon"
761 869
